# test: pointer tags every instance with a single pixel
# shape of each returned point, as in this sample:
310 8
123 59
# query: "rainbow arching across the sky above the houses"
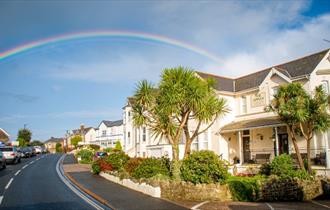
108 33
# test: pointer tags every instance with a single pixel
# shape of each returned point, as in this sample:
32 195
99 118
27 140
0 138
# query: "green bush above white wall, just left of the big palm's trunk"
150 167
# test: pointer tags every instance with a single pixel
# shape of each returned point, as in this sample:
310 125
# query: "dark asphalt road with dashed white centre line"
34 184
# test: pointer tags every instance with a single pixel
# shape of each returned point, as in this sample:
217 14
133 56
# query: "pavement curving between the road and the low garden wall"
111 194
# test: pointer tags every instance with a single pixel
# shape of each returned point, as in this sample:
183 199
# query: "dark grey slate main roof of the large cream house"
299 67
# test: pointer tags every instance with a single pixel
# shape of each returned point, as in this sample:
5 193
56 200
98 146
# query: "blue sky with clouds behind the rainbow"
60 85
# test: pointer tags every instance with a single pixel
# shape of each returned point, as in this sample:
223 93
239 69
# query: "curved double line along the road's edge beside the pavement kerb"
76 191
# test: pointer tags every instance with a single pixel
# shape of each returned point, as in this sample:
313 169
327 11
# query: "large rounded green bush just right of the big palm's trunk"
203 167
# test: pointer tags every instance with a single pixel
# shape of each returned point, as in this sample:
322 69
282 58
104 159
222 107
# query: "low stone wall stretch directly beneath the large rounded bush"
199 192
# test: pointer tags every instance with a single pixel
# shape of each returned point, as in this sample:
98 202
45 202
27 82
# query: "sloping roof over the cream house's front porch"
251 124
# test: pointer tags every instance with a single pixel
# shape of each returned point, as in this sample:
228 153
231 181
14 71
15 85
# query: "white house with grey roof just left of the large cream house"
107 134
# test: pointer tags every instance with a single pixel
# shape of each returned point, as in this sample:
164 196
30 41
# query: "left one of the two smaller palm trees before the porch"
289 104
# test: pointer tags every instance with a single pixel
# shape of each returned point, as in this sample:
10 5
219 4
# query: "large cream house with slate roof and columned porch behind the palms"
247 134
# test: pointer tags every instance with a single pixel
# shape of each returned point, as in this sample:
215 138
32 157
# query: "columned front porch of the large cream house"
253 142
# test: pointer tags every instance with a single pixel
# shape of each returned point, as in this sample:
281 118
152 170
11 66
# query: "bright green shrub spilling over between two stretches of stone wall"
245 188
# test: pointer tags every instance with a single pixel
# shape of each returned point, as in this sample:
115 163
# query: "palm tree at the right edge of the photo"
314 119
